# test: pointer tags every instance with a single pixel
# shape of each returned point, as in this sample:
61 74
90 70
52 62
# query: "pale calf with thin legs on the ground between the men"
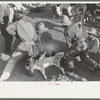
45 62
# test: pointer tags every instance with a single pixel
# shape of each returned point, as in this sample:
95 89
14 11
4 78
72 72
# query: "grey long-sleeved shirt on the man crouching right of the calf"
73 36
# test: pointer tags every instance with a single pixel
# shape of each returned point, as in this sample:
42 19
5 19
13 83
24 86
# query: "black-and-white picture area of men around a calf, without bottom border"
49 42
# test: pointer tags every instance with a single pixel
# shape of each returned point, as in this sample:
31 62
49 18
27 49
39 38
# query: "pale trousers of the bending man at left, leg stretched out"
22 50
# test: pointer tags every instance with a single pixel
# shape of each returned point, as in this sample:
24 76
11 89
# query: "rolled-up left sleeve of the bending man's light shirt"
11 29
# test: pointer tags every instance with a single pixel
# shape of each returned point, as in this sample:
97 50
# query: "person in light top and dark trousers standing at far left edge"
4 20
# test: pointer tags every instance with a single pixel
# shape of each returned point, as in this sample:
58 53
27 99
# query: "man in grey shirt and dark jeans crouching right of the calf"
77 45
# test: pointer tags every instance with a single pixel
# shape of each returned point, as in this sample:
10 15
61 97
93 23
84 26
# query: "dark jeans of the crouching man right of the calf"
83 55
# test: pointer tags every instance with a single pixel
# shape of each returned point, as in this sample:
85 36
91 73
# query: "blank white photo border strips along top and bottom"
50 89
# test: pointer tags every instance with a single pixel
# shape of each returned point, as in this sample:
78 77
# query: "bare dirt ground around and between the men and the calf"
21 74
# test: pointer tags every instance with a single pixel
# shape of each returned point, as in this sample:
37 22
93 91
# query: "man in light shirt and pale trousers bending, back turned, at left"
27 36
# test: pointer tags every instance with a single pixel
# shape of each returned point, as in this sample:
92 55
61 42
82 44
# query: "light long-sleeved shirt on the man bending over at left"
24 30
